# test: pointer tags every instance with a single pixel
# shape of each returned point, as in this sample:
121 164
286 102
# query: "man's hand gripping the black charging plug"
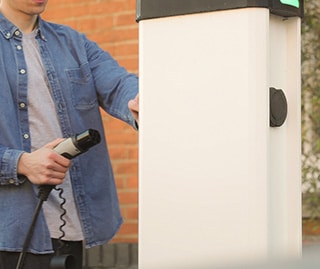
44 166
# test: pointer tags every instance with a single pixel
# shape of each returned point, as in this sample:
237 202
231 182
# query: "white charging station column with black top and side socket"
217 183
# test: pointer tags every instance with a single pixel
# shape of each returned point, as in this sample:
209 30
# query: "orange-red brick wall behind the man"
111 23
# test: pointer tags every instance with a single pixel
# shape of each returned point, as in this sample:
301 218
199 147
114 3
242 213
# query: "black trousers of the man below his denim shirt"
67 255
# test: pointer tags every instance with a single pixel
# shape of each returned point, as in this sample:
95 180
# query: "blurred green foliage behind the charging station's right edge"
311 108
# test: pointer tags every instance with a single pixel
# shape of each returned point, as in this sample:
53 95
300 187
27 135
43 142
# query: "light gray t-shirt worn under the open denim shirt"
45 127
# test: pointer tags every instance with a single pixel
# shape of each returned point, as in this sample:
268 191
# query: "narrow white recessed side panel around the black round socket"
285 142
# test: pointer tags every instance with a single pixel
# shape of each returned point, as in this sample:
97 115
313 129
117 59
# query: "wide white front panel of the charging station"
204 139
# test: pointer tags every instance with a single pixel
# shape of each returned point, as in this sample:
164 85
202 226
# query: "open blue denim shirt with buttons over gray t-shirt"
83 78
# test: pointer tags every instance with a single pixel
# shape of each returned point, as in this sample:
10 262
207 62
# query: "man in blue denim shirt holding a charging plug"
53 82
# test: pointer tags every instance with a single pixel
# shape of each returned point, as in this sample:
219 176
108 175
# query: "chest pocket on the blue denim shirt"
83 92
